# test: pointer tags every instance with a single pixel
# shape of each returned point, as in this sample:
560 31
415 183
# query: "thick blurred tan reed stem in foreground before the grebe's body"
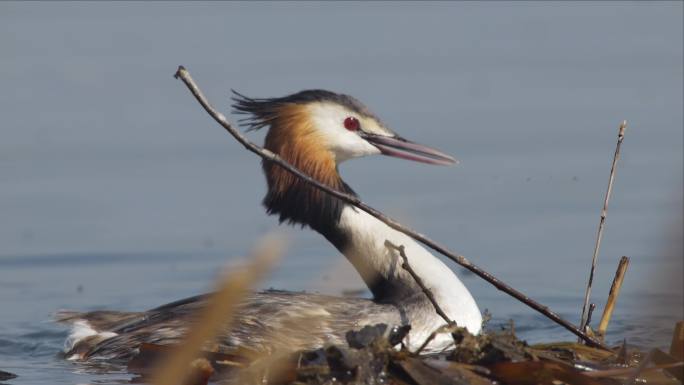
217 314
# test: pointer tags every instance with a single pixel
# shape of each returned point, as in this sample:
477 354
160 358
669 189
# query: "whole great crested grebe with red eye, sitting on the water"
314 130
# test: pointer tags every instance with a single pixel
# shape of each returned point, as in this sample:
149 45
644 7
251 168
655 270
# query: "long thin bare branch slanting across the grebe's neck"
184 75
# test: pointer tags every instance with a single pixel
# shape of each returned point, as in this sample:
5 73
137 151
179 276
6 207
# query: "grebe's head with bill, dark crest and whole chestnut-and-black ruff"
315 130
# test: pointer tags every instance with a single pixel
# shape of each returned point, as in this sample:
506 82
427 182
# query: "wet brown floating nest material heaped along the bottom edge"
374 355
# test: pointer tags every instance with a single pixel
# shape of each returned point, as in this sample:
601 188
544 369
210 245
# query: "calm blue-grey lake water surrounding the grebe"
118 191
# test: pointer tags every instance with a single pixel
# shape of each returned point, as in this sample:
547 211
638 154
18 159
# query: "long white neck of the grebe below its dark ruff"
381 268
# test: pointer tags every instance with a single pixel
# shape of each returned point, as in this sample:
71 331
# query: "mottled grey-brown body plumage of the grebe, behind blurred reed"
264 321
